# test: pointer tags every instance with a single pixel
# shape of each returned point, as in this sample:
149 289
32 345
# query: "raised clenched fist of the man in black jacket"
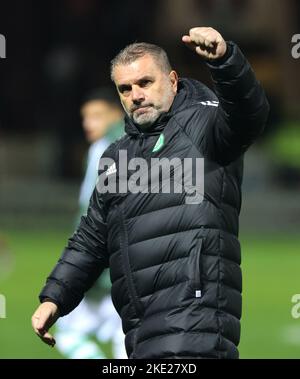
206 42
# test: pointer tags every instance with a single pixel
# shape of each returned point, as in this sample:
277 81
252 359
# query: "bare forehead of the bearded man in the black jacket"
134 71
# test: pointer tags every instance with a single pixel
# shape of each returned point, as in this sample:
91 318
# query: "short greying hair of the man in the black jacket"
137 50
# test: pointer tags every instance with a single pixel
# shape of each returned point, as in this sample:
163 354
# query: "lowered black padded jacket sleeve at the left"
82 261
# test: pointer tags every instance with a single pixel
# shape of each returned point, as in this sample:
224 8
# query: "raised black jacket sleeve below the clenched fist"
243 108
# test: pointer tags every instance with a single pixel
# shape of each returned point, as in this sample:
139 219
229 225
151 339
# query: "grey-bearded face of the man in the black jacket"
145 90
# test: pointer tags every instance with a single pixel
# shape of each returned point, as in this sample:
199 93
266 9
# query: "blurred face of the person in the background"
97 117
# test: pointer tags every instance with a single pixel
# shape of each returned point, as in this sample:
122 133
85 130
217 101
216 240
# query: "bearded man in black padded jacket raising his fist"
174 262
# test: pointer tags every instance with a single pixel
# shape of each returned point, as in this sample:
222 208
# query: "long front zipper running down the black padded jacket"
126 264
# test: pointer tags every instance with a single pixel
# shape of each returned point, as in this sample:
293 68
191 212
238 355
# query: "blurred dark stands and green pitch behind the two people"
56 51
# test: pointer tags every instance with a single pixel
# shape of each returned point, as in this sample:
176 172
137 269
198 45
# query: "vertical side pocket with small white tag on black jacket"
195 268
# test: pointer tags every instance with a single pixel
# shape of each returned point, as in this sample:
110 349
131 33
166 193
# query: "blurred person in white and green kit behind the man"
93 329
